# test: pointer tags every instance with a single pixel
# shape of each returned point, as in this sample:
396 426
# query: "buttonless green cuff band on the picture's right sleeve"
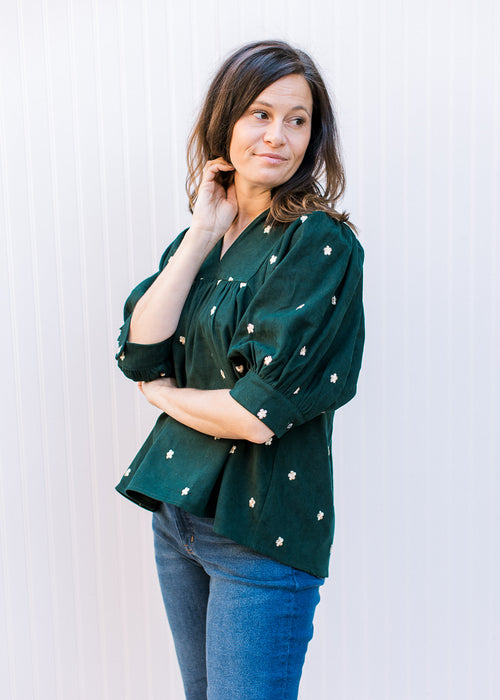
275 410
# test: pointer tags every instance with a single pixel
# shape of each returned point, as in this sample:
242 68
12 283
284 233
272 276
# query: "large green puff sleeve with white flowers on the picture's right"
301 337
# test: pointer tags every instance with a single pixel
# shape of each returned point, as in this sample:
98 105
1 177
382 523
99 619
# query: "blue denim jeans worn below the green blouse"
241 622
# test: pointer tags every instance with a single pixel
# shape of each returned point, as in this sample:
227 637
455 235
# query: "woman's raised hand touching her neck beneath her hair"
216 206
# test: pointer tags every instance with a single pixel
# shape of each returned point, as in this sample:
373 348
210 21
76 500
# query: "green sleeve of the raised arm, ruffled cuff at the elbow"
145 362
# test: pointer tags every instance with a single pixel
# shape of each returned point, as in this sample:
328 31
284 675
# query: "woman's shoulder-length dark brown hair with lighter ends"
319 181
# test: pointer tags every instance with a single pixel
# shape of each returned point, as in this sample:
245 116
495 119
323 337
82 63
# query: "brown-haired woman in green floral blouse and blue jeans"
248 339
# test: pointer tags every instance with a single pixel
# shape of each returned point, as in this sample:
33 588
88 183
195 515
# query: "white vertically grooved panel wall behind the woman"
96 97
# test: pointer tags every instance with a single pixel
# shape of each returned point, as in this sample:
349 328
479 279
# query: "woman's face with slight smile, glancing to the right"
270 139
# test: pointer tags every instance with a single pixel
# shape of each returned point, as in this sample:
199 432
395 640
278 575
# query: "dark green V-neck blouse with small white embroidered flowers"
278 321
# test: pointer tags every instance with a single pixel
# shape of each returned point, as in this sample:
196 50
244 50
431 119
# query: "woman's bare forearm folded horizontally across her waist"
213 411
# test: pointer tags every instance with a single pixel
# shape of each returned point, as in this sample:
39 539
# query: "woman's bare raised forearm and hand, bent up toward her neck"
156 314
